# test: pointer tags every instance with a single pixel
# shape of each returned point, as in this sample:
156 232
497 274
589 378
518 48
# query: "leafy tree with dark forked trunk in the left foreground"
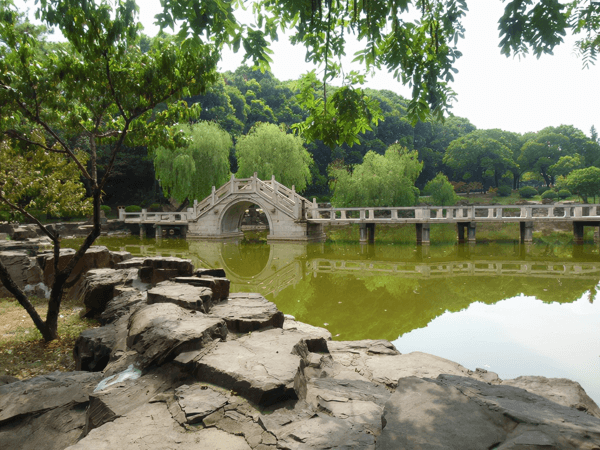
100 88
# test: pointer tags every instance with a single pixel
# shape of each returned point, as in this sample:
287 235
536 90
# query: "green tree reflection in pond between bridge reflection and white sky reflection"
385 307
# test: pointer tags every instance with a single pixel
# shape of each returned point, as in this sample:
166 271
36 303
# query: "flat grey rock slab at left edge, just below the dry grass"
45 393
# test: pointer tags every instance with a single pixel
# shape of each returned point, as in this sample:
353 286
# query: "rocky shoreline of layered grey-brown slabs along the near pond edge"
180 362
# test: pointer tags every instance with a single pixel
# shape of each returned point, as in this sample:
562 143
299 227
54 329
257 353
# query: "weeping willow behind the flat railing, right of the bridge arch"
381 180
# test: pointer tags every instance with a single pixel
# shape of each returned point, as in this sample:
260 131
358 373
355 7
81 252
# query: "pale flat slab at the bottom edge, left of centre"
151 427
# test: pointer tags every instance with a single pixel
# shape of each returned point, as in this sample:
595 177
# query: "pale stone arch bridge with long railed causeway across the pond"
292 217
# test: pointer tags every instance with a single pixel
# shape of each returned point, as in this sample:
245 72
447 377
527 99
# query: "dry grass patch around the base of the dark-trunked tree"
23 352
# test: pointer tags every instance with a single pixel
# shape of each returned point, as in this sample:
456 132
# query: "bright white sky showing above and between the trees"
493 91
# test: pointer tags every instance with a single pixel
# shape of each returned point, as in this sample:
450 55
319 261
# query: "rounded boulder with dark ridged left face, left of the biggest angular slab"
162 331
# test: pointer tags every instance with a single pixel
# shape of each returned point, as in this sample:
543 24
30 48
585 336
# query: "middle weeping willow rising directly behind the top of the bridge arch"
268 150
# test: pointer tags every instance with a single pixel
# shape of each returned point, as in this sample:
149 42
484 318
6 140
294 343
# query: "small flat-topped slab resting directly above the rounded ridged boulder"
187 296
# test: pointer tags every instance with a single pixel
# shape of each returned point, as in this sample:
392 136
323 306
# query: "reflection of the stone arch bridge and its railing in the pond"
268 269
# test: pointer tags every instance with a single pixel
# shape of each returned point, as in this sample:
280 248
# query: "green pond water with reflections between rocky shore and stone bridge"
505 307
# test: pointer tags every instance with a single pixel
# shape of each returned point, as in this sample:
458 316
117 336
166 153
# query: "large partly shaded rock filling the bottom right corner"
460 412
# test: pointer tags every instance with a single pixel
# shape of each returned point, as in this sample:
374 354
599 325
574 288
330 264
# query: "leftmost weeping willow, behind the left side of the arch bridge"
191 171
